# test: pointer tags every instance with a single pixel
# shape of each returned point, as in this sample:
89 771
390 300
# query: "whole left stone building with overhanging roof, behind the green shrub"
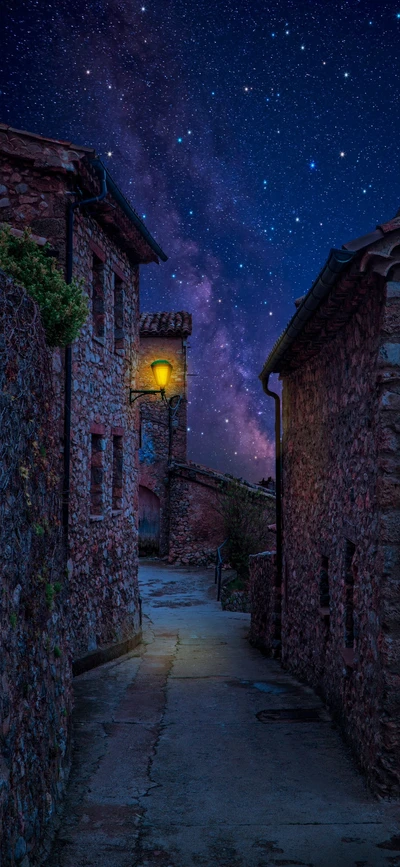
67 198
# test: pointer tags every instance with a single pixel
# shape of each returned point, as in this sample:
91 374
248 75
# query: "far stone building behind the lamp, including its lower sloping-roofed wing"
179 500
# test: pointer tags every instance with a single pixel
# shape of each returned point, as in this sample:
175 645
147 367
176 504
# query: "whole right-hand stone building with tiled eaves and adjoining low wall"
338 615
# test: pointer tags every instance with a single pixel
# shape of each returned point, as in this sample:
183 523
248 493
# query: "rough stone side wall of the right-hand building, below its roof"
341 472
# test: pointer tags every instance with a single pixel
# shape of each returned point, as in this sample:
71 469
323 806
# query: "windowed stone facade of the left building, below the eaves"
103 538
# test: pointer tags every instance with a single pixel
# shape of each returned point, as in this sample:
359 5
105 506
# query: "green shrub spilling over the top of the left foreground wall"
63 306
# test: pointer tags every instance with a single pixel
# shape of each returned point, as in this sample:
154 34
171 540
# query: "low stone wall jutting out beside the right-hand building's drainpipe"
265 603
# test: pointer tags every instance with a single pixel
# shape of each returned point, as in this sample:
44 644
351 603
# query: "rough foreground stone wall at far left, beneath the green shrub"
35 651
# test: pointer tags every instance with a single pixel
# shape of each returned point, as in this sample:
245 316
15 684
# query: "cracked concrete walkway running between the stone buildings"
176 764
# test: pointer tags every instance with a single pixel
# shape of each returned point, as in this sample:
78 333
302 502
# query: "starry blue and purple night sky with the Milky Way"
250 136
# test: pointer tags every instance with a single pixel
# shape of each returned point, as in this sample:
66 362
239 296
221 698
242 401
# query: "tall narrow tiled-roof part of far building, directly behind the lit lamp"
163 423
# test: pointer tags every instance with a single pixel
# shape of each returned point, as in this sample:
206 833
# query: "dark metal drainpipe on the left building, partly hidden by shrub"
68 353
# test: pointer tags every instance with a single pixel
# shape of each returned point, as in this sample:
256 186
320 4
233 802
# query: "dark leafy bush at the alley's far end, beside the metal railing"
246 516
